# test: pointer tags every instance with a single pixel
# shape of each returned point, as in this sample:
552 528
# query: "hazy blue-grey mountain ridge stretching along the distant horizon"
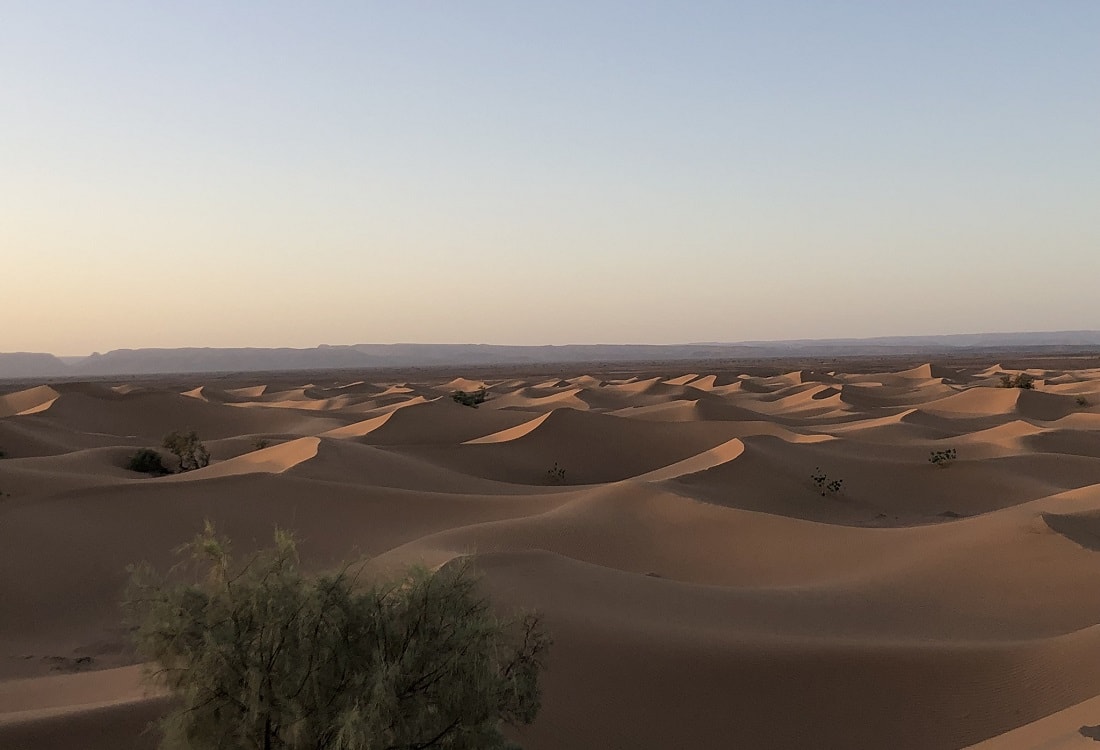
199 360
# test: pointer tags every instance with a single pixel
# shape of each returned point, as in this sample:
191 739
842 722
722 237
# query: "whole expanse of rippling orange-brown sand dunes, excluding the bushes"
700 589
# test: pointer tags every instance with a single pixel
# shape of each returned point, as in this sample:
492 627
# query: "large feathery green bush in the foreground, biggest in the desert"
262 657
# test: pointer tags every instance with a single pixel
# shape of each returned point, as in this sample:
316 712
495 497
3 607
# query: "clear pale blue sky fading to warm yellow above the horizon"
291 174
